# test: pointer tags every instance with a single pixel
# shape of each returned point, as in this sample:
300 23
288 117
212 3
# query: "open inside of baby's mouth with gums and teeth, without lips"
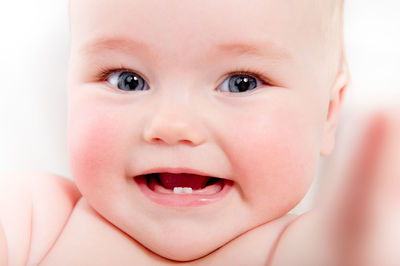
183 183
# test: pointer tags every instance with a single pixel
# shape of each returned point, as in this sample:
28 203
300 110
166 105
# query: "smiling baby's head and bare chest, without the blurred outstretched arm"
194 128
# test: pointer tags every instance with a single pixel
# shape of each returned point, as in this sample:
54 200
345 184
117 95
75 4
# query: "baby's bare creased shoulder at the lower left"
34 208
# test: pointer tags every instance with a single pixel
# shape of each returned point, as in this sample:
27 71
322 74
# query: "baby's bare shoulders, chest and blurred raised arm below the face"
58 232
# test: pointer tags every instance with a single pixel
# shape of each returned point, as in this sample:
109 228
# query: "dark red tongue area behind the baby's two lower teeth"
170 181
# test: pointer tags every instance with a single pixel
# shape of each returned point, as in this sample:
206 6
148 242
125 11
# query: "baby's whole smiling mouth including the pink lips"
183 189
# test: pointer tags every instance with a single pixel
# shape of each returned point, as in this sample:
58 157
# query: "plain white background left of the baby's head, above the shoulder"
33 63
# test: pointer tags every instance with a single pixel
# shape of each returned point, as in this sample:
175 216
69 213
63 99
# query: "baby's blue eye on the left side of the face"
127 81
